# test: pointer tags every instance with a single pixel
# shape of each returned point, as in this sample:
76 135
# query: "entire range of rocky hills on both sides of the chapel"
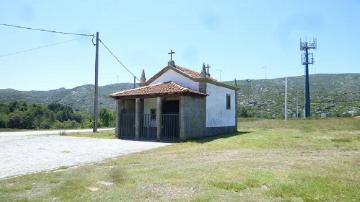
331 94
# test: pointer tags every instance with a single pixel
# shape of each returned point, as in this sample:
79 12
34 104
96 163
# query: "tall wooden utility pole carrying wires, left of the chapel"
96 97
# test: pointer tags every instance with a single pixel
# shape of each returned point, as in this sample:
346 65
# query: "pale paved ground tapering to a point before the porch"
27 152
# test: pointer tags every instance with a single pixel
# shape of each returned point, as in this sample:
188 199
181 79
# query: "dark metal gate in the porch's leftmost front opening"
127 126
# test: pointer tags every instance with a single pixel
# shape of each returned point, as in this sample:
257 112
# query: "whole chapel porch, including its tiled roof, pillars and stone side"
162 112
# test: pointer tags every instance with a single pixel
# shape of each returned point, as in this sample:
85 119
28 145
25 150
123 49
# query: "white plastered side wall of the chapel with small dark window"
216 113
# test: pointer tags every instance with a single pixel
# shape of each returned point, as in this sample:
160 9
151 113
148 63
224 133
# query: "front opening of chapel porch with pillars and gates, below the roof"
149 119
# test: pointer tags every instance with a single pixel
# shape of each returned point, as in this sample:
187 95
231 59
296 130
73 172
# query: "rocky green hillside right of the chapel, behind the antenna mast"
331 95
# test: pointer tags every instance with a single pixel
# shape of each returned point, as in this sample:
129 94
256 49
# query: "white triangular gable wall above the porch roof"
171 75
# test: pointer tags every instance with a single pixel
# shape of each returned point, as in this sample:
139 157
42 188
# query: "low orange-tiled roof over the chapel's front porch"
161 89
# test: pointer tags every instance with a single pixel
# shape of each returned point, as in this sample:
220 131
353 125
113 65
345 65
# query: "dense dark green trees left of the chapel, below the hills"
22 115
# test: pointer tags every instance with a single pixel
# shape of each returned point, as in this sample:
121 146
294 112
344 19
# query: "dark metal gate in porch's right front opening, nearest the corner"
170 127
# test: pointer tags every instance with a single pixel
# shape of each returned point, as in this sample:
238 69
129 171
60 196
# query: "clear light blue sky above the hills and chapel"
238 38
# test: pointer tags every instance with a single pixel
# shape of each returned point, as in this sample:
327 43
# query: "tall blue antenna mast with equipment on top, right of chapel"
307 58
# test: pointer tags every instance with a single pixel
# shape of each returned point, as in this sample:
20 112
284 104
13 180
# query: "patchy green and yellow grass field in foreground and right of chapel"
306 160
